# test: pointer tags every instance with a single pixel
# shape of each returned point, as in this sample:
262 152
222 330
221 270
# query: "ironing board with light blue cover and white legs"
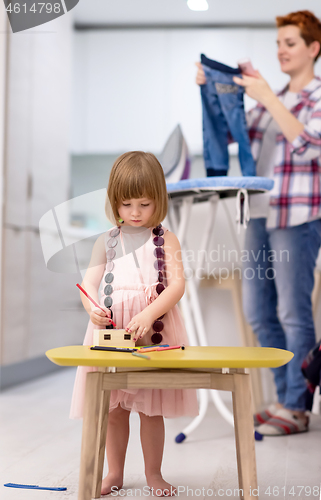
182 196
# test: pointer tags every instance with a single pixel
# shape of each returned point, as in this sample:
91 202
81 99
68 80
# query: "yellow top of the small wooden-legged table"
190 357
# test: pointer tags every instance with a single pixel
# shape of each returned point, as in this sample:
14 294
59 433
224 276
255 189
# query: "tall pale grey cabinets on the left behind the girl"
41 309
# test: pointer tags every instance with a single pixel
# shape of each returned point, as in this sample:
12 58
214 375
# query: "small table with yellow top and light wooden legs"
220 368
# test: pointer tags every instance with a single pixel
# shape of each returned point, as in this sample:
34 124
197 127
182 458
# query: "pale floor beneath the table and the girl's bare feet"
40 445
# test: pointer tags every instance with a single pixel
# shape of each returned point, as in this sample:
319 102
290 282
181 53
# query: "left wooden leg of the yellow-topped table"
93 437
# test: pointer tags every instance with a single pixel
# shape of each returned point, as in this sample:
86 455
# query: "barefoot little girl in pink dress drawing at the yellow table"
138 263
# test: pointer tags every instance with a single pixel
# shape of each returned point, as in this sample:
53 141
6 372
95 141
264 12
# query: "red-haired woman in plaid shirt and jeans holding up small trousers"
285 134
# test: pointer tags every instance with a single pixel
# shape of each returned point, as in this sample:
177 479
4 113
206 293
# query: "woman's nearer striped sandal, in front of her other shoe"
282 423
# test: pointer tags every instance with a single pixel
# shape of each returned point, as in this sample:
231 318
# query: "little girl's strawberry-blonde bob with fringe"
136 174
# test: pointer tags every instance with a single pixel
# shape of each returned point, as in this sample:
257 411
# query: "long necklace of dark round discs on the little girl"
159 265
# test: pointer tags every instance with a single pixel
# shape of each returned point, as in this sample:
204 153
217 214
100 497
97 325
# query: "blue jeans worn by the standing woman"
277 285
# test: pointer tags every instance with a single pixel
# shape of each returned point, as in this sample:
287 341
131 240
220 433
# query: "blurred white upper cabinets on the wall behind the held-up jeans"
131 87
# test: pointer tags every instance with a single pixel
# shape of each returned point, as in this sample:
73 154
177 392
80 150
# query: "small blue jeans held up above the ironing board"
223 113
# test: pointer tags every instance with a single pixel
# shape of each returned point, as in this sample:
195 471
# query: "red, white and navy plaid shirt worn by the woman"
296 195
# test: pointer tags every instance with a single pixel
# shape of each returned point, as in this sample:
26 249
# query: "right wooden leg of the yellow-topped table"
244 436
